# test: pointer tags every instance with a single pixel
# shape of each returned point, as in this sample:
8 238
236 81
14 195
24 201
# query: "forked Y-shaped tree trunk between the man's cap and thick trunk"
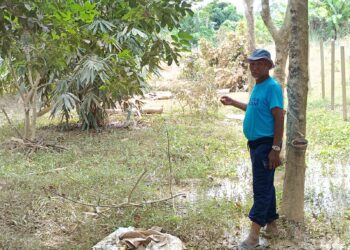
280 37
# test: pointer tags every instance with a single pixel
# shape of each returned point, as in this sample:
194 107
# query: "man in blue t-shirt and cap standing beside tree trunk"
263 127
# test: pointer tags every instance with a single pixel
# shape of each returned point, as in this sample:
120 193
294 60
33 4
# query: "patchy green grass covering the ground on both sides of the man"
102 167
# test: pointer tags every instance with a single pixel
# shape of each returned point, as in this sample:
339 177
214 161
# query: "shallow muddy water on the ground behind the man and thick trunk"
327 187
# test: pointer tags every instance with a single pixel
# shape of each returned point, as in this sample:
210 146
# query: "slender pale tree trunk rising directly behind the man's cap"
249 15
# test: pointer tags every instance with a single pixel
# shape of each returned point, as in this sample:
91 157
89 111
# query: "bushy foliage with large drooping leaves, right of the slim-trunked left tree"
117 51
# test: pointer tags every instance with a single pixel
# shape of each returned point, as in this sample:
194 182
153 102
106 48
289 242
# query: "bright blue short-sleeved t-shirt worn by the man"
259 121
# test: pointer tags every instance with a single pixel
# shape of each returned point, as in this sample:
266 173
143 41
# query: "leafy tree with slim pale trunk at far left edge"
32 57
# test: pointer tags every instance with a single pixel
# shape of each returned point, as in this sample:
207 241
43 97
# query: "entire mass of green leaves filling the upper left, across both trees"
92 54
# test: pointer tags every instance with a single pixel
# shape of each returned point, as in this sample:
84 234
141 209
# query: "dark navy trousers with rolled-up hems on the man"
264 207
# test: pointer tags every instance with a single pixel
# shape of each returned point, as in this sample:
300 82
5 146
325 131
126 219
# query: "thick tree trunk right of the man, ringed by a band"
293 190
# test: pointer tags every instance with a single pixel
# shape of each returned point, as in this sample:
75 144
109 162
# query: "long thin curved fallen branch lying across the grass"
122 205
